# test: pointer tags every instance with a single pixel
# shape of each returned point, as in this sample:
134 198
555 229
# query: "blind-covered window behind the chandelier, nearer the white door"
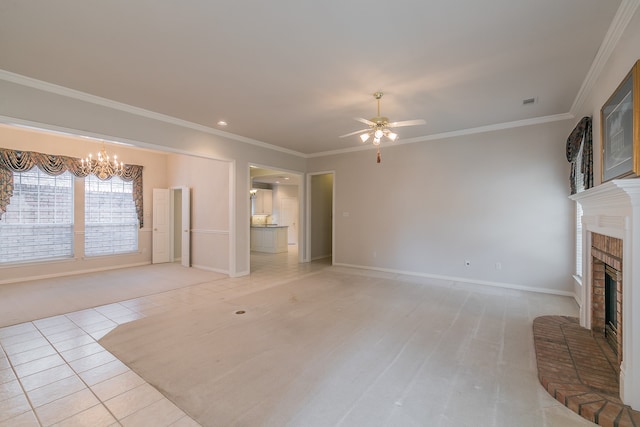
111 222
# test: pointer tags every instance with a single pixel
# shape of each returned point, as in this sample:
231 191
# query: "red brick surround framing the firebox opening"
606 250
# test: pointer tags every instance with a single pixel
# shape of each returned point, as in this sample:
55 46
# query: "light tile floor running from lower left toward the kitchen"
53 371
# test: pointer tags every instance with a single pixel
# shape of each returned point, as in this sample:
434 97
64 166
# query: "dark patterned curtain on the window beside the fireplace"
581 137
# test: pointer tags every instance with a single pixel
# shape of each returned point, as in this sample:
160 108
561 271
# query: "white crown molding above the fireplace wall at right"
620 21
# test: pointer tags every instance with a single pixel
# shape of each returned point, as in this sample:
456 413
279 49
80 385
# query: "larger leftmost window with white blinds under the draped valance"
38 223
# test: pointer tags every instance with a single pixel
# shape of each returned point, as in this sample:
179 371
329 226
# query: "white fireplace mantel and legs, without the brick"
613 209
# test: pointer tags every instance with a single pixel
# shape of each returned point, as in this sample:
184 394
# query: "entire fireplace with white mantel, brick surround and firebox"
611 243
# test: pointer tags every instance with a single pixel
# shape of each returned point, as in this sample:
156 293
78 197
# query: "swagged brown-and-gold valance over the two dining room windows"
20 161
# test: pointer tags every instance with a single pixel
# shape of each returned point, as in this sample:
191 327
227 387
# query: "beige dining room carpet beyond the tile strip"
37 299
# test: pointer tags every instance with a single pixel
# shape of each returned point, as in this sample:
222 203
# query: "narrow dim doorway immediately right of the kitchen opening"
320 207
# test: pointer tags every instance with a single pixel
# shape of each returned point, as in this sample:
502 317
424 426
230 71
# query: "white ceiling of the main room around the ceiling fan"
295 73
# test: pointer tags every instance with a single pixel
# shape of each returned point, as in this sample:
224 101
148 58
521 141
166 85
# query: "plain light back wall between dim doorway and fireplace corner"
495 197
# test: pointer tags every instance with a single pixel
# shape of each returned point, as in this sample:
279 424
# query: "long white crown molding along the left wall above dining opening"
104 102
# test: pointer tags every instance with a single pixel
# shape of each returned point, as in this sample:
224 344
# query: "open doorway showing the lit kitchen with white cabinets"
275 228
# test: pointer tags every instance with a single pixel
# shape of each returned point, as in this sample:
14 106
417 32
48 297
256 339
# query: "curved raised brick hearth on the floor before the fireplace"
577 369
